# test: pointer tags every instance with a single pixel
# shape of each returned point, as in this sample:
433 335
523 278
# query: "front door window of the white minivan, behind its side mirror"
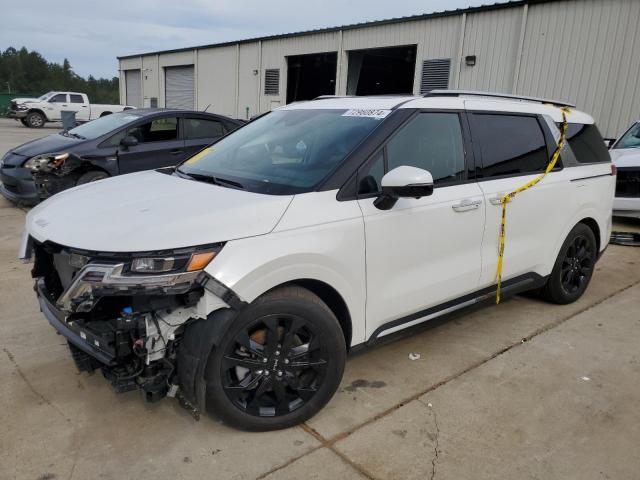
431 141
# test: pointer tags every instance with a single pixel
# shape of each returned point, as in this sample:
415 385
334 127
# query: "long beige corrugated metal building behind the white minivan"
581 51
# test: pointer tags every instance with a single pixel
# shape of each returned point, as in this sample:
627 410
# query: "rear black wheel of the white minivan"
574 267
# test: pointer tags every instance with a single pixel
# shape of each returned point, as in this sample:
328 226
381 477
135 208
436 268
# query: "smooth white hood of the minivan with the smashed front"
152 211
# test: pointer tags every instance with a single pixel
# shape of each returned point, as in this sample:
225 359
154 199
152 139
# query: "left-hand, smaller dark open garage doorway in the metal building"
309 76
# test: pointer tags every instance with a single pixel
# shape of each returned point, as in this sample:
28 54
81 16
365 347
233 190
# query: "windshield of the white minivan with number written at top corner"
286 151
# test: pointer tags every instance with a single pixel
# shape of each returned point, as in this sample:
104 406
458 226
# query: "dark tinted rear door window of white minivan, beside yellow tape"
509 144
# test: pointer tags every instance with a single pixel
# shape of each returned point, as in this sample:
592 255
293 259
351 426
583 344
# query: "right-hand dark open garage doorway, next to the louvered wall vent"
379 71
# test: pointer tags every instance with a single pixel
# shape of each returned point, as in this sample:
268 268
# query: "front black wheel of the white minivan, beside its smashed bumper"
278 364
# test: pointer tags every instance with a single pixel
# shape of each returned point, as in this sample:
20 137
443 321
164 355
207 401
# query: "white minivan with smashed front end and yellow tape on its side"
240 280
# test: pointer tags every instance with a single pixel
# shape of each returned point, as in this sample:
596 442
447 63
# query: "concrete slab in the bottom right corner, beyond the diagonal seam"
563 405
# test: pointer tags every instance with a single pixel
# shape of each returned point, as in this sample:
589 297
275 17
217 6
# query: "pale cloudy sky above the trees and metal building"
92 33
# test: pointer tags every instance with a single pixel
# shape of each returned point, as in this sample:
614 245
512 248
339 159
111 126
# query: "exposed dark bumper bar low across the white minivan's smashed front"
82 339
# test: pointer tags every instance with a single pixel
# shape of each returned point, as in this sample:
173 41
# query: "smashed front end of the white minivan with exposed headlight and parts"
125 314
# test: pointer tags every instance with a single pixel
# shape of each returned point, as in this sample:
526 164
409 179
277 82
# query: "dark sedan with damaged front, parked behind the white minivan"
125 142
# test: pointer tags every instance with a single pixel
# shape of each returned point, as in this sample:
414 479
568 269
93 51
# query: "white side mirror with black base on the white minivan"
404 182
